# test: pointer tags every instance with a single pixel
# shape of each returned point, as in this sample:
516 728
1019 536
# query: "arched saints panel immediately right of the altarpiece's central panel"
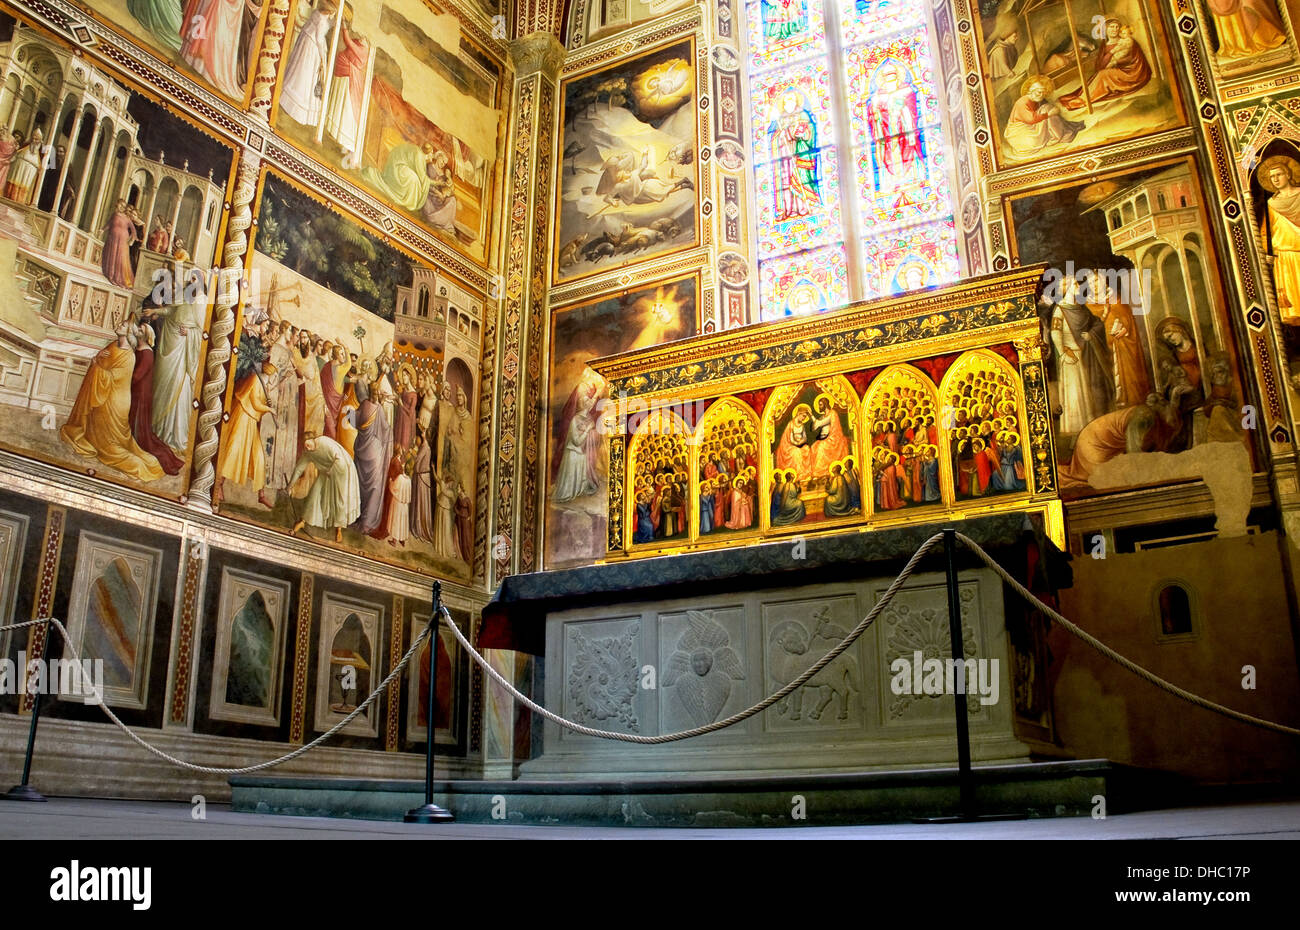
902 414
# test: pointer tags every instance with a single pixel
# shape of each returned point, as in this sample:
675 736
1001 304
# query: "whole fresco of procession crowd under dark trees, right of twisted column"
353 404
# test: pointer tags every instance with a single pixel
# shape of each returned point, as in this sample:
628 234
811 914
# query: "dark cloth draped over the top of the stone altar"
515 618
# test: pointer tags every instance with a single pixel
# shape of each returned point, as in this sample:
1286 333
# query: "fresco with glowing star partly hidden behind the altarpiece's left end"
578 465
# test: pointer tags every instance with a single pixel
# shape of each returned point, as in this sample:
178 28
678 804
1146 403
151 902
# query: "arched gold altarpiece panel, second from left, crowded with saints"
727 470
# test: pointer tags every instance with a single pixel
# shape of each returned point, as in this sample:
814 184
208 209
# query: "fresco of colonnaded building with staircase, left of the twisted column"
111 211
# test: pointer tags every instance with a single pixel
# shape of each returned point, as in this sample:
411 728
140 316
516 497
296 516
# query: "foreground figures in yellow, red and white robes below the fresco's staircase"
136 403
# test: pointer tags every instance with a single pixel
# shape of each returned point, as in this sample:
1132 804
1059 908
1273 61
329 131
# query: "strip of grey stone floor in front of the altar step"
84 819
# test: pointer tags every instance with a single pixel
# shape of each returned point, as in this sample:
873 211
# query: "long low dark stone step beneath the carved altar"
1058 789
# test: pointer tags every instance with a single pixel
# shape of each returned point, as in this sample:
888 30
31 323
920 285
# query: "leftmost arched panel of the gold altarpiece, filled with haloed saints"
660 481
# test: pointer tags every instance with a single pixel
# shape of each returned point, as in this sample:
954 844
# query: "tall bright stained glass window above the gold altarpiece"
852 188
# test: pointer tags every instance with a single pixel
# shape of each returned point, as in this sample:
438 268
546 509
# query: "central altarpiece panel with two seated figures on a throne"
812 457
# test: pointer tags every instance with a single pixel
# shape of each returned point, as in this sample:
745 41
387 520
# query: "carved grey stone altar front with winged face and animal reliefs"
669 665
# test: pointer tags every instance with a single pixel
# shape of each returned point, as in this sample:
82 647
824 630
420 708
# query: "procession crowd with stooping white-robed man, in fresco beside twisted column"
357 439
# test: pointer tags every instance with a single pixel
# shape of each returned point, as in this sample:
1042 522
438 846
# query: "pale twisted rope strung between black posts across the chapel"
696 732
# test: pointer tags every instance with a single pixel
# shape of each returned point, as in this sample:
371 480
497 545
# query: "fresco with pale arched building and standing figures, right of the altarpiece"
1139 345
